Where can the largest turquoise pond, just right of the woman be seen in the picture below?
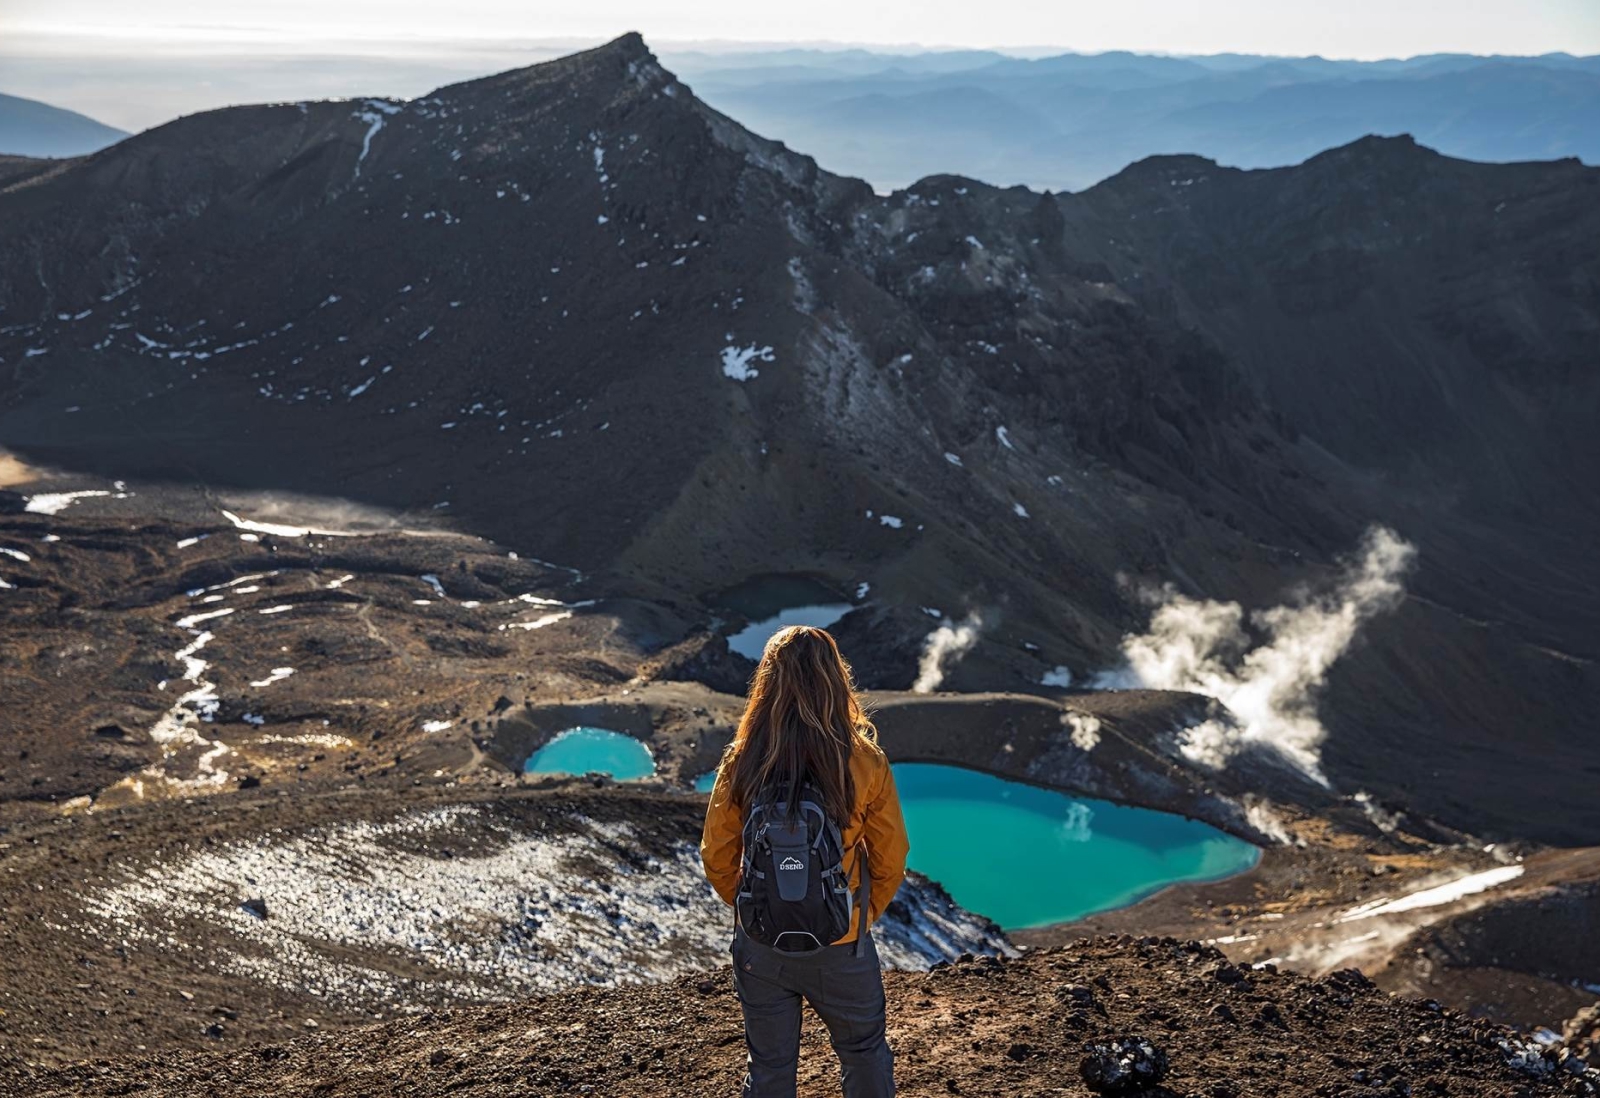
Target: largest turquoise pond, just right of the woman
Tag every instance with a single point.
(1031, 857)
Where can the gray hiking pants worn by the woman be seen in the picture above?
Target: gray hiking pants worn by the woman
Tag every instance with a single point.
(847, 995)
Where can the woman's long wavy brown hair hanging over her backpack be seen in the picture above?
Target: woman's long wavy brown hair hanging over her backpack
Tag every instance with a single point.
(802, 723)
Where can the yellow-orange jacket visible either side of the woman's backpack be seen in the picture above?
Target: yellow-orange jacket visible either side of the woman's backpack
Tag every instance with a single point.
(876, 822)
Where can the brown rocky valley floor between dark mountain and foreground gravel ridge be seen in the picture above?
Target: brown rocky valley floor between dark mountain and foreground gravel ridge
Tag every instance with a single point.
(319, 814)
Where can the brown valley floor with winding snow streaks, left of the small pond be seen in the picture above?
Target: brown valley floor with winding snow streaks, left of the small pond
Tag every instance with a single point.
(153, 646)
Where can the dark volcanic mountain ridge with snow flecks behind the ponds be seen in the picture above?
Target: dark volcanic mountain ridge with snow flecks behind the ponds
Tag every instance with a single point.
(575, 310)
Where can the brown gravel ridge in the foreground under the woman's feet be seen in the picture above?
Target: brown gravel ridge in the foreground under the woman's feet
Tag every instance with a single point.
(972, 1028)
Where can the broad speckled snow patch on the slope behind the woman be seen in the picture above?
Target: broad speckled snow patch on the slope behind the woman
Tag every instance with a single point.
(505, 918)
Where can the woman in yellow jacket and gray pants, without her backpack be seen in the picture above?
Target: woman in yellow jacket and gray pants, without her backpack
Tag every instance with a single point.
(804, 731)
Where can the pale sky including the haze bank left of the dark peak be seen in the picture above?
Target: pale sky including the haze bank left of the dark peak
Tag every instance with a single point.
(135, 63)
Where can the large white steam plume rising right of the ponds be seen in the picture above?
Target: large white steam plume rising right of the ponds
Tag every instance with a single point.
(1201, 646)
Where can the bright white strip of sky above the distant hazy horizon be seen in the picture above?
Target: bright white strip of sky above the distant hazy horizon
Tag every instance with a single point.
(1345, 30)
